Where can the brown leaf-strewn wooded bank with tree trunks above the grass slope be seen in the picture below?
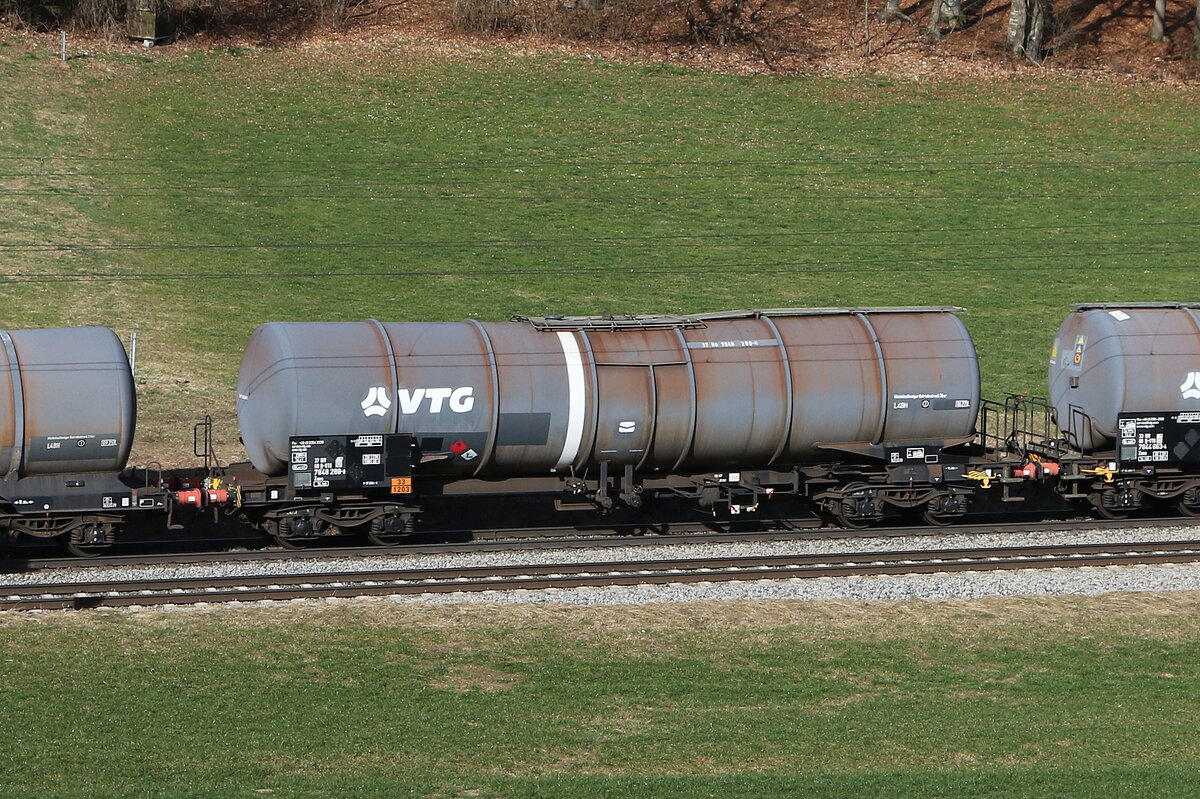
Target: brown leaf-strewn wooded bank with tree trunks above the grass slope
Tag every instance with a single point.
(959, 39)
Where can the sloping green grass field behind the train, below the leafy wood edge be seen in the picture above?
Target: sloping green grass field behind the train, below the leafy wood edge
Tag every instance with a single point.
(193, 196)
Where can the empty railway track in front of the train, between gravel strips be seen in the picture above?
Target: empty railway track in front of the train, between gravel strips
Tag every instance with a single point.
(590, 575)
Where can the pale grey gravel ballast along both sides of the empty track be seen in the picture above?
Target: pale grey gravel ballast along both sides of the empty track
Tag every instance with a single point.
(1073, 581)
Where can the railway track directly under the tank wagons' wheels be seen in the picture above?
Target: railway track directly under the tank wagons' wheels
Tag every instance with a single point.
(543, 539)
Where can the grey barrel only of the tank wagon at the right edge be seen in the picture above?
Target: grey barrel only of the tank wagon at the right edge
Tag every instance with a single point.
(1111, 359)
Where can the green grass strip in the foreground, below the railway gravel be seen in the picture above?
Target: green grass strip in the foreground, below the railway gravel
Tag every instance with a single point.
(1000, 699)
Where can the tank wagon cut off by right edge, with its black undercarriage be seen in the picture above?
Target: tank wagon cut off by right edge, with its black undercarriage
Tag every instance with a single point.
(1125, 392)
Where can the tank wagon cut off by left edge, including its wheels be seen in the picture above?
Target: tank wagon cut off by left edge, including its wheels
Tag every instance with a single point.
(68, 414)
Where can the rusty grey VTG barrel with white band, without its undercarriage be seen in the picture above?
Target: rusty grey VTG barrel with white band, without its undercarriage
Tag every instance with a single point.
(743, 389)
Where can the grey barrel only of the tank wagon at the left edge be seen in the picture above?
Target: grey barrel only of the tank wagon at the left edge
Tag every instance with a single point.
(68, 402)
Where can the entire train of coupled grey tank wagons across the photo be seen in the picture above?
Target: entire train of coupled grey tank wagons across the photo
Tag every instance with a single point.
(855, 414)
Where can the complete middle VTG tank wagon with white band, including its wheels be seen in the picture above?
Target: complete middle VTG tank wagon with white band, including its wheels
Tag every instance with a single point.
(727, 410)
